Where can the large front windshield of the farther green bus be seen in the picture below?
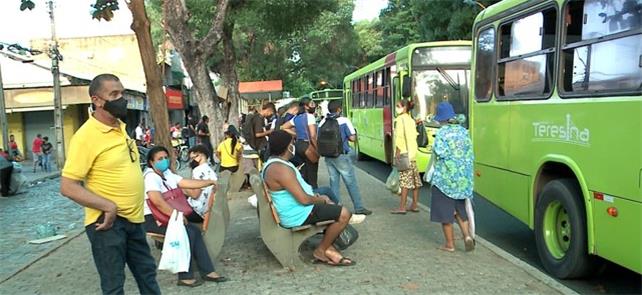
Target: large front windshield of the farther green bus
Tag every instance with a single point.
(436, 85)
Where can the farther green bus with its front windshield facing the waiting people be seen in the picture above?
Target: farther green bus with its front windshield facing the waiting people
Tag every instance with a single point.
(427, 73)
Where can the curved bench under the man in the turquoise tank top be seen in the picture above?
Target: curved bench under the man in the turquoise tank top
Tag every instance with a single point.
(284, 243)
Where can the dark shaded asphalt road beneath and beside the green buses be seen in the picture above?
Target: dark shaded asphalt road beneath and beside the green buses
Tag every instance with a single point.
(516, 238)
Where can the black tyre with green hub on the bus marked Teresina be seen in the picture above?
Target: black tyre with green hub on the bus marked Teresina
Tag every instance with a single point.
(560, 230)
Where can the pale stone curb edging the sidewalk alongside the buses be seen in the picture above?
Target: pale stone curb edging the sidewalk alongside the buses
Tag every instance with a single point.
(536, 273)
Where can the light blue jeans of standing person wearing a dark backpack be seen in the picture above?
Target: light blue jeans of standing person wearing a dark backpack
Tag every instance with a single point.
(342, 166)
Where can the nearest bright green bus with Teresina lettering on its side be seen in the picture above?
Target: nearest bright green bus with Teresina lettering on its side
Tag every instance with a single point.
(556, 123)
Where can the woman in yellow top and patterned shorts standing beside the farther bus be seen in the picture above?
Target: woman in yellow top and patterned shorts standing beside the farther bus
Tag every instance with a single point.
(405, 153)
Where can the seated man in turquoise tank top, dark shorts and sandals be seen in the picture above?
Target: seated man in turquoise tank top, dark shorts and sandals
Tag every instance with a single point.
(296, 204)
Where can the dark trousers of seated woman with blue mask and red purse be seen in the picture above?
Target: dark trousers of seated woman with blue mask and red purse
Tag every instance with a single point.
(196, 244)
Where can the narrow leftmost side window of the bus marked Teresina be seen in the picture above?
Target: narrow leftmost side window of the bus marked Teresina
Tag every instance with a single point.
(484, 62)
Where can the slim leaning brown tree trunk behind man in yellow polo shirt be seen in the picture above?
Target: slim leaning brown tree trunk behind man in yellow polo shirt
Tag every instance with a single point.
(155, 93)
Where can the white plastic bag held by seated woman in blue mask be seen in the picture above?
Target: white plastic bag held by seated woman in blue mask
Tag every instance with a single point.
(176, 254)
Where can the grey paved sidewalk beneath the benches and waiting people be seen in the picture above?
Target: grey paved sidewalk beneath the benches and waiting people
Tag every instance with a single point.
(395, 255)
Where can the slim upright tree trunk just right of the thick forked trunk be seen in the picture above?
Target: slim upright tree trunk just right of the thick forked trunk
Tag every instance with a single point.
(230, 76)
